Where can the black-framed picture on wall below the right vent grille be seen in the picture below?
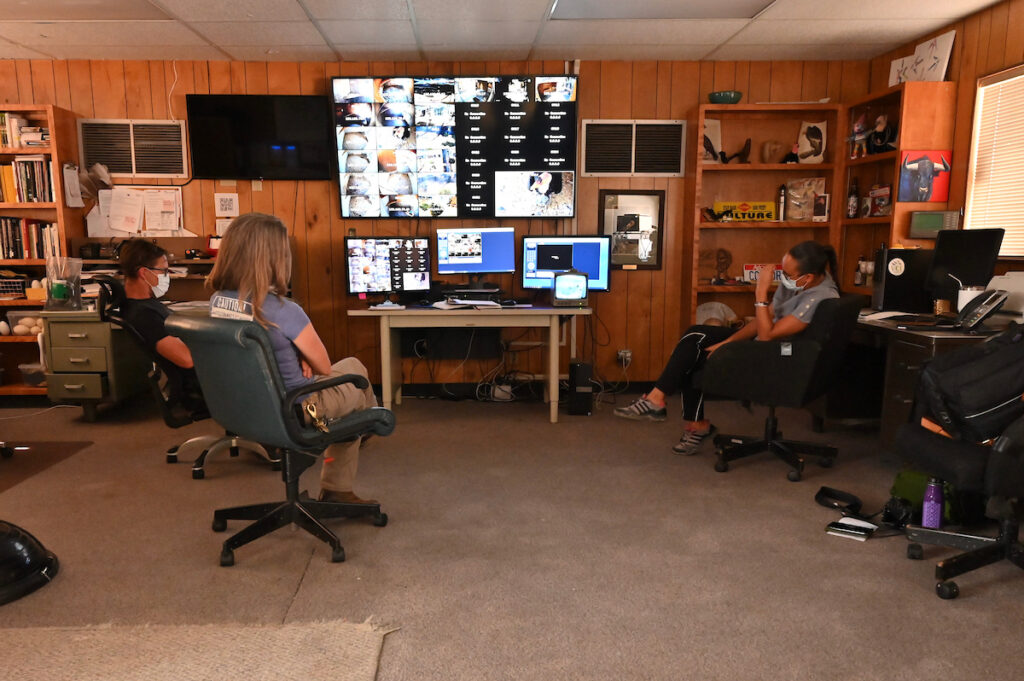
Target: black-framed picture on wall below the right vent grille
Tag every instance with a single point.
(635, 220)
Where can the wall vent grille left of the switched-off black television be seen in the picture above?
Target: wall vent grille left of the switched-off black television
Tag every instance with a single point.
(135, 149)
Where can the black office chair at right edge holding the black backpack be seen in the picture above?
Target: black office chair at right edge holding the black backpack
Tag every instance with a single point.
(997, 473)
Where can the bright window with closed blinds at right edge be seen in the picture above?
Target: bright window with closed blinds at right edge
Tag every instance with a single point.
(996, 177)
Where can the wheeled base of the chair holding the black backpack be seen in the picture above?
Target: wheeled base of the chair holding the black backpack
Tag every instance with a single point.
(980, 551)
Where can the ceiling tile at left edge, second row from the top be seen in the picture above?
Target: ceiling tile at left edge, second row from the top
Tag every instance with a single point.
(99, 33)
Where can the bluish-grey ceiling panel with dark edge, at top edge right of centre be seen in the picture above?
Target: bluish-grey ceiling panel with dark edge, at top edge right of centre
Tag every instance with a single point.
(659, 10)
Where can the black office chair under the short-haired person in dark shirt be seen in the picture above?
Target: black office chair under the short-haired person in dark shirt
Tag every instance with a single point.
(180, 404)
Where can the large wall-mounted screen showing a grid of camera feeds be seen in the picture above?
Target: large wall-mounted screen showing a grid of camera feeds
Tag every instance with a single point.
(489, 147)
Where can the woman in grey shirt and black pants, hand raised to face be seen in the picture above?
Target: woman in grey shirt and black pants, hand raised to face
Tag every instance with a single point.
(804, 284)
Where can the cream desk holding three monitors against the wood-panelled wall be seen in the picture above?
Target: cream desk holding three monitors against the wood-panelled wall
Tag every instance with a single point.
(428, 318)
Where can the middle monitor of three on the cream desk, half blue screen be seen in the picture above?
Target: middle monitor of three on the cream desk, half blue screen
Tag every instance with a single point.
(476, 251)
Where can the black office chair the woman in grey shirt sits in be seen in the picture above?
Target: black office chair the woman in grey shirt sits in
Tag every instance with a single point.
(791, 372)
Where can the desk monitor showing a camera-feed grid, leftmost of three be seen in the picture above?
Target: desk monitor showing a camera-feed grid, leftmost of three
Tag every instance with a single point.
(388, 265)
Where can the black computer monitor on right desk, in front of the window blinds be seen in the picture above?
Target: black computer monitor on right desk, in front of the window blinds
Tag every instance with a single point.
(968, 256)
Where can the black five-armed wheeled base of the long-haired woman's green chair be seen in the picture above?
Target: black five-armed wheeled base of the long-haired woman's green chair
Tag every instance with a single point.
(296, 509)
